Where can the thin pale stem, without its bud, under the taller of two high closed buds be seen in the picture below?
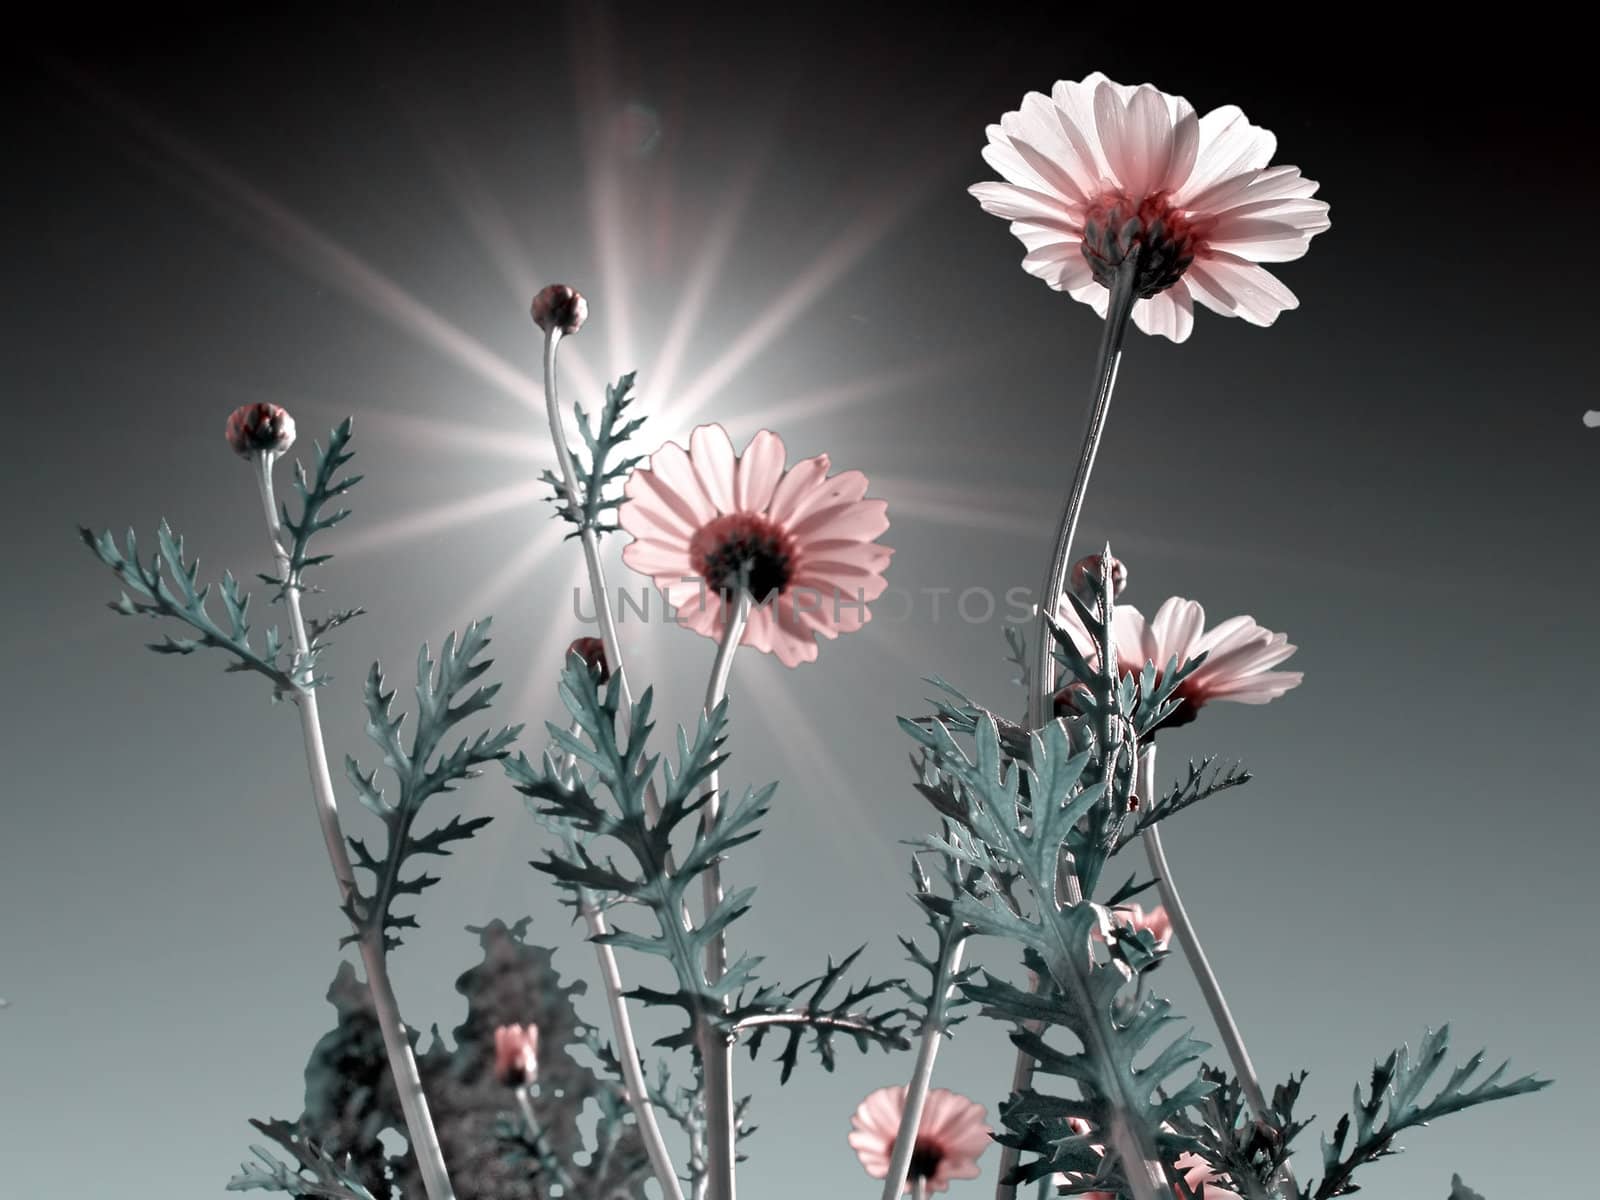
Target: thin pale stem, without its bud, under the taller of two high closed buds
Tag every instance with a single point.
(628, 1049)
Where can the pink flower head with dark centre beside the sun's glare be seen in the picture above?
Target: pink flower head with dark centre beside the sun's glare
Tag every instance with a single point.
(801, 543)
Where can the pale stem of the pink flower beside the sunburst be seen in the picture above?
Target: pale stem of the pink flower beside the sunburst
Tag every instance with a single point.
(716, 1046)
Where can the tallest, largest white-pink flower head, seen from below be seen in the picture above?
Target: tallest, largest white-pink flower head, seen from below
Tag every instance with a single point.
(1098, 172)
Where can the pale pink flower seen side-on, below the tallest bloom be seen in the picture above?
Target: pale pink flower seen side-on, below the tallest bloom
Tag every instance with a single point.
(1239, 654)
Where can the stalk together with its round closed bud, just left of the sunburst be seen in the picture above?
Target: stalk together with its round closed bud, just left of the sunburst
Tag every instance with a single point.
(561, 311)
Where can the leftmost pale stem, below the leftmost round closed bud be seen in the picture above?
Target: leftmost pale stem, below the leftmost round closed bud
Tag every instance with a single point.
(398, 1044)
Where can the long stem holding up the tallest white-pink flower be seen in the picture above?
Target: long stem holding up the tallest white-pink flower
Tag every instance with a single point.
(1042, 678)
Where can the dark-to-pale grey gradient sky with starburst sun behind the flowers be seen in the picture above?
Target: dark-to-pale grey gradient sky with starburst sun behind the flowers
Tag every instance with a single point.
(770, 222)
